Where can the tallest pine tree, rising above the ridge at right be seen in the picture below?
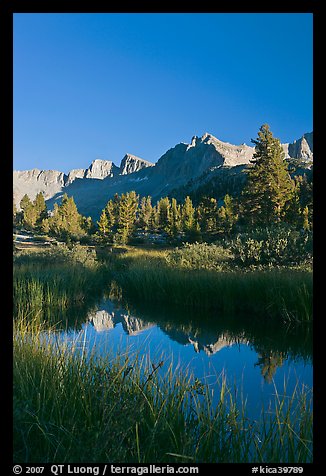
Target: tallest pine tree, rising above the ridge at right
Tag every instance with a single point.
(269, 186)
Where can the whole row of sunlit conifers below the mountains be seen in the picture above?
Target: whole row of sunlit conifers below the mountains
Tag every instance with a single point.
(270, 197)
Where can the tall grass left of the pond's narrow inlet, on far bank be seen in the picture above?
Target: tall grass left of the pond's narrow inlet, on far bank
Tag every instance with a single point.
(58, 284)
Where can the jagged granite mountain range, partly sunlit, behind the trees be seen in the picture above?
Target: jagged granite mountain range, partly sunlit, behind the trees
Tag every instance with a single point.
(94, 186)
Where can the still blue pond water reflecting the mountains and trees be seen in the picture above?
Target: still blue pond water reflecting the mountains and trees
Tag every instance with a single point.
(257, 358)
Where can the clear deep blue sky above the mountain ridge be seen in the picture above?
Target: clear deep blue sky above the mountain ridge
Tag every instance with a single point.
(90, 86)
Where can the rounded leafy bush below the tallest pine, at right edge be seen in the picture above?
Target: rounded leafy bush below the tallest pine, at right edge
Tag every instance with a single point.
(272, 246)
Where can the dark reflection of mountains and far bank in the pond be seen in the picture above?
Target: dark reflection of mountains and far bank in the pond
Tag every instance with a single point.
(207, 332)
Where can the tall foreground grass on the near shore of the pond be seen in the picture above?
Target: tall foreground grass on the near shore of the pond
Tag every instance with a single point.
(67, 409)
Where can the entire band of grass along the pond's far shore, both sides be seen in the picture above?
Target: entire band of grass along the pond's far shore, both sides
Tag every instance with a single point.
(67, 282)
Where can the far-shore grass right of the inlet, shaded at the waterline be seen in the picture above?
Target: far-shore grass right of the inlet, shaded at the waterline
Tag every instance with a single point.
(277, 293)
